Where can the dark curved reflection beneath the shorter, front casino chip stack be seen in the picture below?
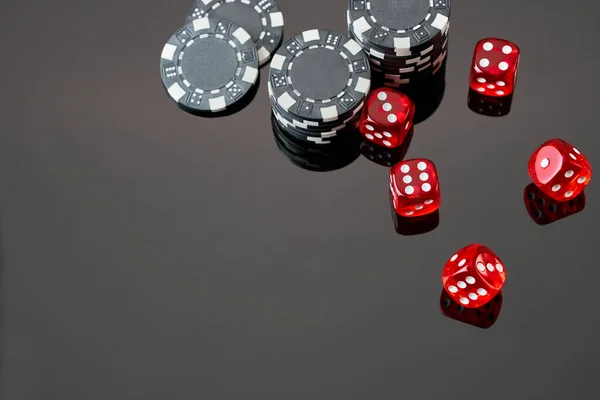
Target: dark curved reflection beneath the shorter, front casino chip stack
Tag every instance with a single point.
(316, 157)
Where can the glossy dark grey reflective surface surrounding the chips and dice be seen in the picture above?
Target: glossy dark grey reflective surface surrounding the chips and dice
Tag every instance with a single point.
(150, 254)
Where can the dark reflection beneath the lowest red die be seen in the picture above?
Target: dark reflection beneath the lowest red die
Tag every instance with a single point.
(482, 317)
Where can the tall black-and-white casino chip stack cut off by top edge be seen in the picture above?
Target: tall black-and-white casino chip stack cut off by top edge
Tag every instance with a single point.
(405, 40)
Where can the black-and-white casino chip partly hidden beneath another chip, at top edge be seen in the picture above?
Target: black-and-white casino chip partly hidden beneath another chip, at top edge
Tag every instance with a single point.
(260, 18)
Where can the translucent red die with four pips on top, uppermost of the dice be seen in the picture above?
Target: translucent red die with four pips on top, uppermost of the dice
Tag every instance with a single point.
(494, 67)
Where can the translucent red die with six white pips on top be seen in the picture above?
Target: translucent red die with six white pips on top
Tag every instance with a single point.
(414, 187)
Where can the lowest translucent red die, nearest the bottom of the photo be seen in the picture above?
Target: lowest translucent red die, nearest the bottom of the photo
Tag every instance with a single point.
(473, 276)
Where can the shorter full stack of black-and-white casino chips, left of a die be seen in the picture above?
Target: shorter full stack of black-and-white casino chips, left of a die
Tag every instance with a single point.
(318, 84)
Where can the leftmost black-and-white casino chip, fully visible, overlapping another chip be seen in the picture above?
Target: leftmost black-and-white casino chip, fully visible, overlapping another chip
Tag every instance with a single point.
(209, 65)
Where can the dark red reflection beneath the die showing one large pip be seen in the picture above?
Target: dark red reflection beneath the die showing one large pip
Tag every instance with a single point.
(544, 210)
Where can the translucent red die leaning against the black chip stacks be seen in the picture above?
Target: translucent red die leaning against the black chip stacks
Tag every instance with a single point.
(387, 118)
